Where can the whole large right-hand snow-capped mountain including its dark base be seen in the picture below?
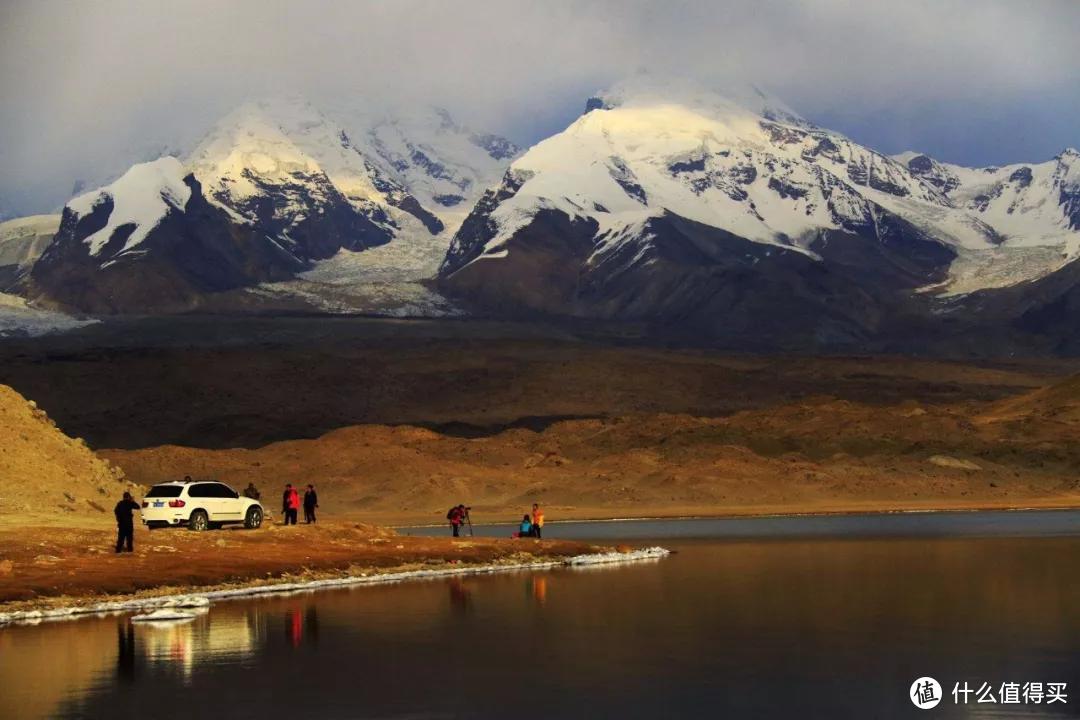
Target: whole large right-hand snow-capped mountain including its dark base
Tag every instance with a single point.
(670, 203)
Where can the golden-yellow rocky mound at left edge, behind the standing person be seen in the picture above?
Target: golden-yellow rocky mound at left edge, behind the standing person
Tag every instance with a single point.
(46, 473)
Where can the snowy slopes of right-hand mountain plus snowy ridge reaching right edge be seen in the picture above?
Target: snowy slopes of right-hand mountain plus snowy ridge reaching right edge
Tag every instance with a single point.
(746, 164)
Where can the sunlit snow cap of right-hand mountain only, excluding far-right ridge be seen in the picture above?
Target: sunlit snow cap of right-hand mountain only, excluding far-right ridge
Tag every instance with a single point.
(653, 148)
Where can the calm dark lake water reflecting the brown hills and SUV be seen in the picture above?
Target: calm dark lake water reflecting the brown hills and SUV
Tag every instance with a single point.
(801, 626)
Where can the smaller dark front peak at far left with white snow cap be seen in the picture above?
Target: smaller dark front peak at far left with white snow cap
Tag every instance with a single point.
(152, 241)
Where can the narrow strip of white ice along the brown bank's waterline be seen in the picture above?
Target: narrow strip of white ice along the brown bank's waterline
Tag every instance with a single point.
(207, 599)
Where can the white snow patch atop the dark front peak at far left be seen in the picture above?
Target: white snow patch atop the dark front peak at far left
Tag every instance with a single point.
(142, 197)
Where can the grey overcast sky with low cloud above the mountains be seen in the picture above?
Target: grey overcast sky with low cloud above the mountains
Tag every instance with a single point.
(91, 87)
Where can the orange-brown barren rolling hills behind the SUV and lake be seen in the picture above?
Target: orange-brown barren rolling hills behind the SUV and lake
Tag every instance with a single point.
(823, 455)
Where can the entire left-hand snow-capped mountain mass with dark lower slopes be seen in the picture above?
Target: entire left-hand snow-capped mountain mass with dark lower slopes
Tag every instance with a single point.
(275, 189)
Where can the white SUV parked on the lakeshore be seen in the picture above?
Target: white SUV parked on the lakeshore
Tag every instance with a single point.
(199, 505)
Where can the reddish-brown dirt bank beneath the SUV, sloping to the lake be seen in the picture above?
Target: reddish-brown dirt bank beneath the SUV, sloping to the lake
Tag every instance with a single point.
(50, 566)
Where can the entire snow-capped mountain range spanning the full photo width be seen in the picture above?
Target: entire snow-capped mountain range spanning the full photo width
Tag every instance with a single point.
(725, 216)
